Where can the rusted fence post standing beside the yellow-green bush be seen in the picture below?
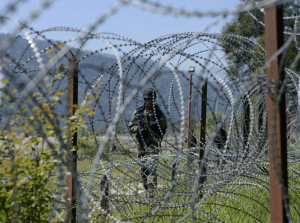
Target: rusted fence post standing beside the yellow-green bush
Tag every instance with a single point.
(72, 156)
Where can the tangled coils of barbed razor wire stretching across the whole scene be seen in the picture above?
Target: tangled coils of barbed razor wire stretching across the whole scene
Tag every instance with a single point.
(237, 178)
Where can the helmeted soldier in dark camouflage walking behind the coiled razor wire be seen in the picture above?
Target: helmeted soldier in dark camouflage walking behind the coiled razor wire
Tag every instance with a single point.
(149, 124)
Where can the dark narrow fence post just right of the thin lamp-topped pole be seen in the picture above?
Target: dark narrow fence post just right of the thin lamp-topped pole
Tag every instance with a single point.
(202, 178)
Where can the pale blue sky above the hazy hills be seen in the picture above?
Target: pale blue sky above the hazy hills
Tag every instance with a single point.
(129, 21)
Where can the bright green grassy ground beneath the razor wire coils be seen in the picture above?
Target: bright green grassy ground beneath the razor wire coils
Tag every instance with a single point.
(232, 202)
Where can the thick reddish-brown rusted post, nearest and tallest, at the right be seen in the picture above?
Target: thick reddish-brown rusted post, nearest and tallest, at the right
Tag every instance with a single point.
(276, 116)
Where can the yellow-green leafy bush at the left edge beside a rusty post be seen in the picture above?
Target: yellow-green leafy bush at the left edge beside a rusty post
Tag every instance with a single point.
(31, 146)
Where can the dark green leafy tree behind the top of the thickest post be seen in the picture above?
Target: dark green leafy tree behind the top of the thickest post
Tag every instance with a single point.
(250, 25)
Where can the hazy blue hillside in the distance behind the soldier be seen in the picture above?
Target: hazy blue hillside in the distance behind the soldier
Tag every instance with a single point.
(89, 69)
